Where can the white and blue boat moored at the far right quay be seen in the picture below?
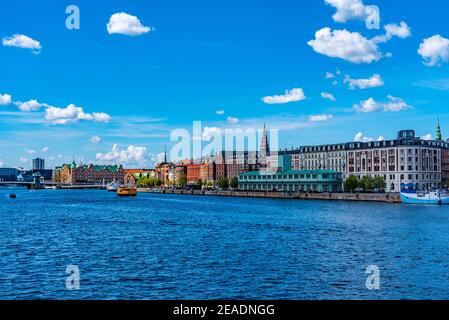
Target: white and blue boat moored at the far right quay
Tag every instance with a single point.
(410, 195)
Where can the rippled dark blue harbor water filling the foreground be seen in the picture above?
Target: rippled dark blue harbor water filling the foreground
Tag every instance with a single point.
(158, 246)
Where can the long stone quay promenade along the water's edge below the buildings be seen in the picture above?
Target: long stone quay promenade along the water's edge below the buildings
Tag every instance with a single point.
(367, 197)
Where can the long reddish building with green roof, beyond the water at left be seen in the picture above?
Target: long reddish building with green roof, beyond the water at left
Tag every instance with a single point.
(94, 174)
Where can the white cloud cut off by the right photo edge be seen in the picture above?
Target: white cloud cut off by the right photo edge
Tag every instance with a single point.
(434, 50)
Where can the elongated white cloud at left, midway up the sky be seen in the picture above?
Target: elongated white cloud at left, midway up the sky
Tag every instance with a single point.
(73, 113)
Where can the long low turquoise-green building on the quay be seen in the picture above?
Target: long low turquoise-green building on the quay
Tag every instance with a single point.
(292, 181)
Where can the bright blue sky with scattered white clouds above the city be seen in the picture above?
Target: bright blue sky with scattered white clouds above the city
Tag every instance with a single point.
(191, 59)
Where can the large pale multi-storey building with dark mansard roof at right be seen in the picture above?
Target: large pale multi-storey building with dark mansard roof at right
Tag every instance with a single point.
(406, 159)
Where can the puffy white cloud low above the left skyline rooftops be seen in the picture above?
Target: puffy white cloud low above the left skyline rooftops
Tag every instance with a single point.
(132, 154)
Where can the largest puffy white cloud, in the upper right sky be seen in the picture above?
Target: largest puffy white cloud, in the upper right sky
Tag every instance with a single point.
(349, 46)
